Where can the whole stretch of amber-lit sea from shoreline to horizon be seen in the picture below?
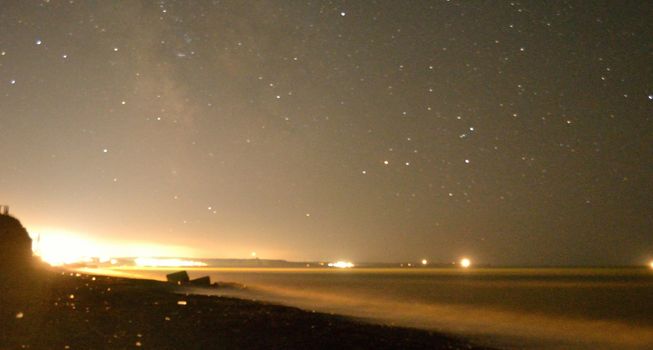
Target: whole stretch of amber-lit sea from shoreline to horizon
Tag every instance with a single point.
(513, 308)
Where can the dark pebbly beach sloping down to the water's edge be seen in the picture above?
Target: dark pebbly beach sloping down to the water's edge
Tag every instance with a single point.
(62, 311)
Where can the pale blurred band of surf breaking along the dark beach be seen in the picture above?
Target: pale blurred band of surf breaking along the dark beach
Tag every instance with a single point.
(487, 325)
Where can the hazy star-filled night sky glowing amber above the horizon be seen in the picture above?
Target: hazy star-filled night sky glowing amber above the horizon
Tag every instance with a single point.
(514, 133)
